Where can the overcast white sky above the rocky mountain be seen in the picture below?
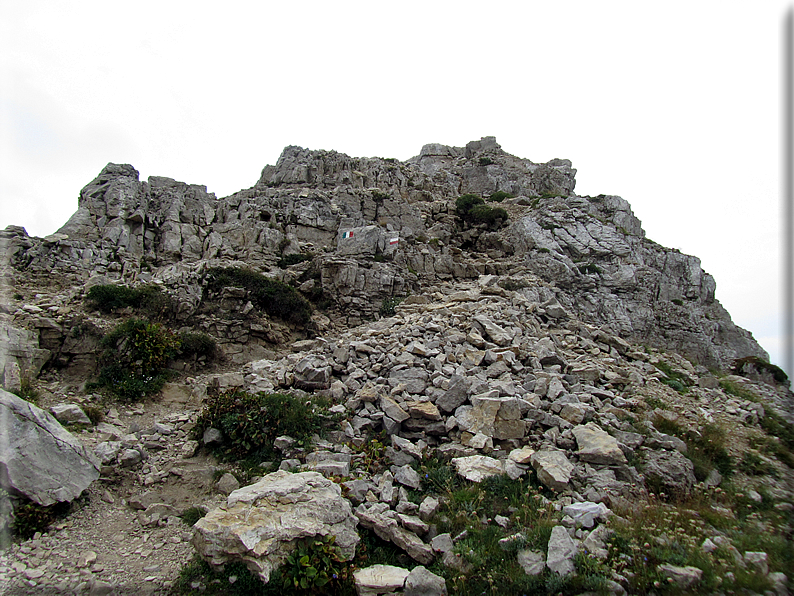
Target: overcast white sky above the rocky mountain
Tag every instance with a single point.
(674, 106)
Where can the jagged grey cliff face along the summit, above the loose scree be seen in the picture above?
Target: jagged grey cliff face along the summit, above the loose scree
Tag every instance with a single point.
(378, 228)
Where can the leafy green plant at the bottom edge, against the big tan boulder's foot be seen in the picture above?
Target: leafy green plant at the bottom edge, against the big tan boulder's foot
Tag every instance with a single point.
(315, 566)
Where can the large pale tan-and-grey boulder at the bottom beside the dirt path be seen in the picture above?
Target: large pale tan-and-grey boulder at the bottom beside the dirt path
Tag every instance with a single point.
(261, 523)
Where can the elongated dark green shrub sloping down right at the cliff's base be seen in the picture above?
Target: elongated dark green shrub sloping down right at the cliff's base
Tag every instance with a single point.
(274, 297)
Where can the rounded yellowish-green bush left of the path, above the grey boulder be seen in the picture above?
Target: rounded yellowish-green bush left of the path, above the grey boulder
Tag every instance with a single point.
(133, 363)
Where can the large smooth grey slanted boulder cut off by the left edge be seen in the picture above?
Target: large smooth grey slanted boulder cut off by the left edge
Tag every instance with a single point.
(38, 457)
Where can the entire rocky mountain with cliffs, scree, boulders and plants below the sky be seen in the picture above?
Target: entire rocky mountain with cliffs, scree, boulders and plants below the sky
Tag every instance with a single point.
(459, 352)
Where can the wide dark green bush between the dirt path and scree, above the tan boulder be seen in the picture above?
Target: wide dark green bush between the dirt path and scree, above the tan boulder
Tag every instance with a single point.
(251, 422)
